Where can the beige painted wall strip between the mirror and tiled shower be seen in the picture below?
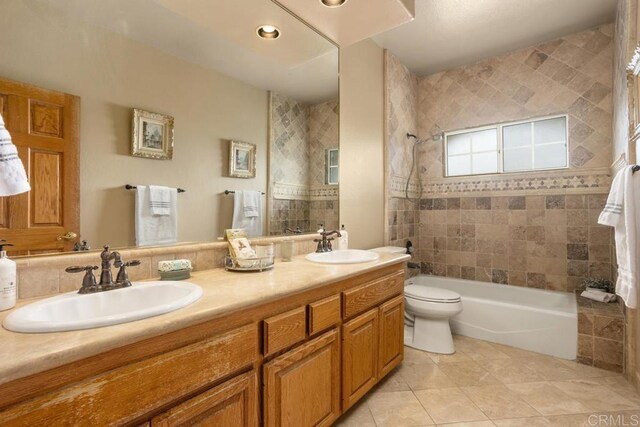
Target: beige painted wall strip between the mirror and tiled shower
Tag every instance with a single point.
(362, 144)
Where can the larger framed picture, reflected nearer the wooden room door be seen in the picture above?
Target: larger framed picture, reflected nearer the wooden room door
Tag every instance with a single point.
(152, 135)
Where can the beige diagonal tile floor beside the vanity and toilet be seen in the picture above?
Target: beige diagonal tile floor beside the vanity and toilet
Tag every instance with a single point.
(485, 384)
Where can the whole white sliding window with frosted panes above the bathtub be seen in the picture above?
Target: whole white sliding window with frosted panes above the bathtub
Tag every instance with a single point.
(509, 147)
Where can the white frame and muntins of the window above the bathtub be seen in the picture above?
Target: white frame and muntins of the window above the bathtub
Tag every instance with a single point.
(500, 144)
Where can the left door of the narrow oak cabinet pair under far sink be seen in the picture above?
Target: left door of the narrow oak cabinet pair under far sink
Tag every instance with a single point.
(359, 357)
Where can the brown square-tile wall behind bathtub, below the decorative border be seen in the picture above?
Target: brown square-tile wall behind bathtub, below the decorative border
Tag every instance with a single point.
(548, 242)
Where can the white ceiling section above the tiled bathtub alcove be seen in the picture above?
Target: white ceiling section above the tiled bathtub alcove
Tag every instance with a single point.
(449, 33)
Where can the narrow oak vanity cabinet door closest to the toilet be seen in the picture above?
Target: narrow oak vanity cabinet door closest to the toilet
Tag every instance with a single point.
(391, 335)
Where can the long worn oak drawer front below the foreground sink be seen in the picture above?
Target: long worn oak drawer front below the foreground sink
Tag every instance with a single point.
(126, 394)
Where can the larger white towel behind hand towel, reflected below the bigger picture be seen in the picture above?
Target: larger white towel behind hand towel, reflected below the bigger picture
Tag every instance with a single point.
(155, 229)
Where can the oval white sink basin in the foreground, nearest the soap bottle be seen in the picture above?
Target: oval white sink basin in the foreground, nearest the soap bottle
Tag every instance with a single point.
(72, 311)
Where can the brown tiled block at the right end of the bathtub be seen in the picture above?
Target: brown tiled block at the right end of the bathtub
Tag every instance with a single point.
(601, 330)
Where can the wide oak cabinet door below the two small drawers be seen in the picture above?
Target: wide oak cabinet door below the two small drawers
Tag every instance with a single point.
(302, 387)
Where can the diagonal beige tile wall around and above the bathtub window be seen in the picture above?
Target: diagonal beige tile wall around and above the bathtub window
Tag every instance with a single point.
(573, 75)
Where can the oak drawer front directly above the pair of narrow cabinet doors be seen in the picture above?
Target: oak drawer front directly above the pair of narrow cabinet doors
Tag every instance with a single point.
(361, 298)
